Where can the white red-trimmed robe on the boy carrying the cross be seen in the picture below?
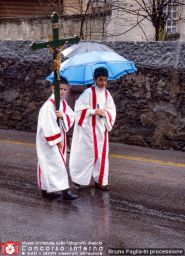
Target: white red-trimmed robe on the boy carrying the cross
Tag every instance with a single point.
(51, 172)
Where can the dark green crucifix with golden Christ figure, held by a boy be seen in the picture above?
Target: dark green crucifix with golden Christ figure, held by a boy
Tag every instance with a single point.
(55, 45)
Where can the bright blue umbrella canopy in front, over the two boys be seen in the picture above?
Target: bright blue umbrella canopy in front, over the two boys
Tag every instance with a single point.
(79, 69)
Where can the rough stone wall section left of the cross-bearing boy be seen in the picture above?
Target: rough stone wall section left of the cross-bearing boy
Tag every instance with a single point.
(22, 85)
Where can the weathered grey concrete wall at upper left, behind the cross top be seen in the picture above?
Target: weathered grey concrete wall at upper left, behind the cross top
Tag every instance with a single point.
(36, 29)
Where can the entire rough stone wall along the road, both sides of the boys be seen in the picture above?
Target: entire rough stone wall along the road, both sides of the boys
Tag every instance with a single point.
(150, 104)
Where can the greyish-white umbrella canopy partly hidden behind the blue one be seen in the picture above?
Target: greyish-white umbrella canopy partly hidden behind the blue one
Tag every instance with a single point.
(84, 47)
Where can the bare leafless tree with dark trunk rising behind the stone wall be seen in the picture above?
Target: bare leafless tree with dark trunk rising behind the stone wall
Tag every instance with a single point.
(158, 12)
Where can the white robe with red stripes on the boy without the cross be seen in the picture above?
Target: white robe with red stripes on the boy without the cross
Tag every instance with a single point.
(90, 143)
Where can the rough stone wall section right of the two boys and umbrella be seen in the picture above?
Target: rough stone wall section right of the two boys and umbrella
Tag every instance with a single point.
(151, 103)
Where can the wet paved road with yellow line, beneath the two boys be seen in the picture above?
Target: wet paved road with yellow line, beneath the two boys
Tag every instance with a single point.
(144, 209)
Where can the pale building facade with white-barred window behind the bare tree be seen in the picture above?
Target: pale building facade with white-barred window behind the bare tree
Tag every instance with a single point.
(127, 22)
